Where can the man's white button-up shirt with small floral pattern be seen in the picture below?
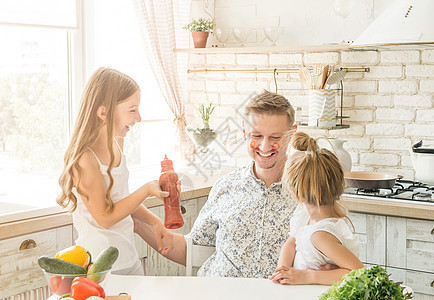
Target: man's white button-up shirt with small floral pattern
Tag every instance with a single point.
(246, 222)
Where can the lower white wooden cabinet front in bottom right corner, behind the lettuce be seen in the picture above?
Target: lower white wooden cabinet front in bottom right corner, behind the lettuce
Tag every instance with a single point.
(422, 283)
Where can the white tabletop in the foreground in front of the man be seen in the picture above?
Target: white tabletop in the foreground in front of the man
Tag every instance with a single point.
(192, 288)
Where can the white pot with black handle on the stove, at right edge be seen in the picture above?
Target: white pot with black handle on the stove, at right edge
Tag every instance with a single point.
(423, 163)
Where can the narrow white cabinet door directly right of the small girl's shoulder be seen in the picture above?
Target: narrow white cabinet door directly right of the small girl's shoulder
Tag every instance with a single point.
(371, 233)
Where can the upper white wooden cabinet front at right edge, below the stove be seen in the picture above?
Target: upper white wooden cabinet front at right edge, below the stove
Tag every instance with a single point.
(410, 244)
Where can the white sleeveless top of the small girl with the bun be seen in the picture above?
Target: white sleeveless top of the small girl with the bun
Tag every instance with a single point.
(307, 256)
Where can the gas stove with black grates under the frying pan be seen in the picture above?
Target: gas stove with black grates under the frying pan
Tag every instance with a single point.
(403, 190)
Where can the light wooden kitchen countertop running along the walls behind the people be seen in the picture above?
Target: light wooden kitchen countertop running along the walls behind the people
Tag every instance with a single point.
(202, 186)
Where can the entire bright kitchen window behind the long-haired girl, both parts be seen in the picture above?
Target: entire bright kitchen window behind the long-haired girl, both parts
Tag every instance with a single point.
(47, 54)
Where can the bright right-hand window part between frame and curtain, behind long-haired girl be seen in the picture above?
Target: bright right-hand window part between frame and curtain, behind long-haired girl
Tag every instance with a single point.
(114, 40)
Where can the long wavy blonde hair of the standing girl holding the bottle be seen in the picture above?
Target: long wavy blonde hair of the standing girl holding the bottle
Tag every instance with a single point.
(106, 87)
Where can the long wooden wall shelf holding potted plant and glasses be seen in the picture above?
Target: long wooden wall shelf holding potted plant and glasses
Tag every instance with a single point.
(264, 50)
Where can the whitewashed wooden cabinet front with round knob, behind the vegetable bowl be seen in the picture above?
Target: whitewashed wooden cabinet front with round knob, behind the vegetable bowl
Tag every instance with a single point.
(19, 269)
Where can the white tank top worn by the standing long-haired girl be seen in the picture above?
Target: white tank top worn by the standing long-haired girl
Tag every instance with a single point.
(94, 237)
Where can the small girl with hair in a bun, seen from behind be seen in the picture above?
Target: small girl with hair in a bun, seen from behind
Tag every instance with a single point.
(321, 233)
